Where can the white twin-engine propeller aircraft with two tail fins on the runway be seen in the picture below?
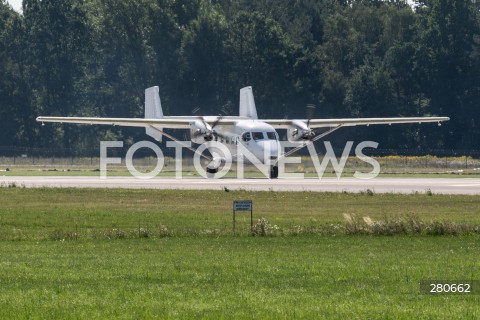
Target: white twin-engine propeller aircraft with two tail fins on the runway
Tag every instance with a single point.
(245, 132)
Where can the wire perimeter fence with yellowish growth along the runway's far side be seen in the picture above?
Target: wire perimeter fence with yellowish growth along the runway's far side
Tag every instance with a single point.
(390, 160)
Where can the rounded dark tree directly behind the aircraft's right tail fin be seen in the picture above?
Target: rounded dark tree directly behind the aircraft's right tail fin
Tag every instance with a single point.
(261, 55)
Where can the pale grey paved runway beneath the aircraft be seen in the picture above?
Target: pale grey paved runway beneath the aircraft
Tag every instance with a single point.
(469, 186)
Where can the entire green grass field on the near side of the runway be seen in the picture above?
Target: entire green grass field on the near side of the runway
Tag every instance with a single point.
(78, 253)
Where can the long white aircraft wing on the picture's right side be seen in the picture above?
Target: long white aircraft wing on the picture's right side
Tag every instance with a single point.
(350, 122)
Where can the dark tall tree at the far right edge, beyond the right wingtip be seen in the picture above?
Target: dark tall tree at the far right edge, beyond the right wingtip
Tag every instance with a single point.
(448, 68)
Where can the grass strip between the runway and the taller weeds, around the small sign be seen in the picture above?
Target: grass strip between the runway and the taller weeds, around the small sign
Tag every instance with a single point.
(34, 213)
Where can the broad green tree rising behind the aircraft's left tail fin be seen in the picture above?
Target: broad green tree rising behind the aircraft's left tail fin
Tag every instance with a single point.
(134, 47)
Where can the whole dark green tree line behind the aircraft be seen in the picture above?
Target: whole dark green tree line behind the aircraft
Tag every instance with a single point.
(351, 58)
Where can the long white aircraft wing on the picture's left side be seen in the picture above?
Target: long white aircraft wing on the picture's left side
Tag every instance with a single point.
(165, 122)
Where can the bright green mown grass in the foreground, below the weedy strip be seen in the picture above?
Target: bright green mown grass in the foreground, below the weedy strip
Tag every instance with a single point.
(235, 277)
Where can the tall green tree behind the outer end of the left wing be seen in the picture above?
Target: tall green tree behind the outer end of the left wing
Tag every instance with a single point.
(56, 42)
